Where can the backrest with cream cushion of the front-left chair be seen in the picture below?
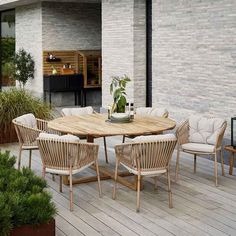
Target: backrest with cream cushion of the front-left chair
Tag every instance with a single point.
(61, 153)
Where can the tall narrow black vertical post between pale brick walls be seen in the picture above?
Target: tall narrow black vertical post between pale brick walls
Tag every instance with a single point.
(148, 53)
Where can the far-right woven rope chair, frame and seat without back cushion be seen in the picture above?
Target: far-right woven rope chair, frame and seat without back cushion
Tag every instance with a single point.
(182, 134)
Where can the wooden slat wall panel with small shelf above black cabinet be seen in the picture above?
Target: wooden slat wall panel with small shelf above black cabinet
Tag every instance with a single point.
(65, 56)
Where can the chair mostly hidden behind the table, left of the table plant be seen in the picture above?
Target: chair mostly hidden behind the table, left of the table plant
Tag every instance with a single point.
(83, 111)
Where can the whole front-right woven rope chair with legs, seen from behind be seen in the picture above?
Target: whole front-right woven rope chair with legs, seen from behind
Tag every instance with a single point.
(145, 159)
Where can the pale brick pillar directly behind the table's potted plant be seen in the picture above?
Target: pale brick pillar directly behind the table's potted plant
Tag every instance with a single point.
(123, 47)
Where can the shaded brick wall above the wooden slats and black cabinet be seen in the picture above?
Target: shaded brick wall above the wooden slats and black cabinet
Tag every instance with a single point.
(71, 26)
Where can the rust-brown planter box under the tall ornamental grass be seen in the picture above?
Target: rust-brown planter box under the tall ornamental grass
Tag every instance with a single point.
(7, 133)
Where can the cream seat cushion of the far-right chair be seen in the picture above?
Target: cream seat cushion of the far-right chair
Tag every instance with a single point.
(198, 147)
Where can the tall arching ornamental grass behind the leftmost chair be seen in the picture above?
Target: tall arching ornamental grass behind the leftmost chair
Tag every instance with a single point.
(16, 102)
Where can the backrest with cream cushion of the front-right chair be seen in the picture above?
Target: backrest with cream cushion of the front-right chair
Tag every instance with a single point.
(147, 153)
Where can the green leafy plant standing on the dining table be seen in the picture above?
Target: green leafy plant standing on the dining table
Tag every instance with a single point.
(117, 89)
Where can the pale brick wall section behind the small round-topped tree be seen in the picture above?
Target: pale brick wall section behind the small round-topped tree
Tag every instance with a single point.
(29, 37)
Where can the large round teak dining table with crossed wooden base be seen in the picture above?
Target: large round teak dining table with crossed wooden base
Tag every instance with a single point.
(96, 125)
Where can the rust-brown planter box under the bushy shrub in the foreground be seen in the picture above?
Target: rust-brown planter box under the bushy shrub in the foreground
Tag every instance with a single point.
(38, 230)
